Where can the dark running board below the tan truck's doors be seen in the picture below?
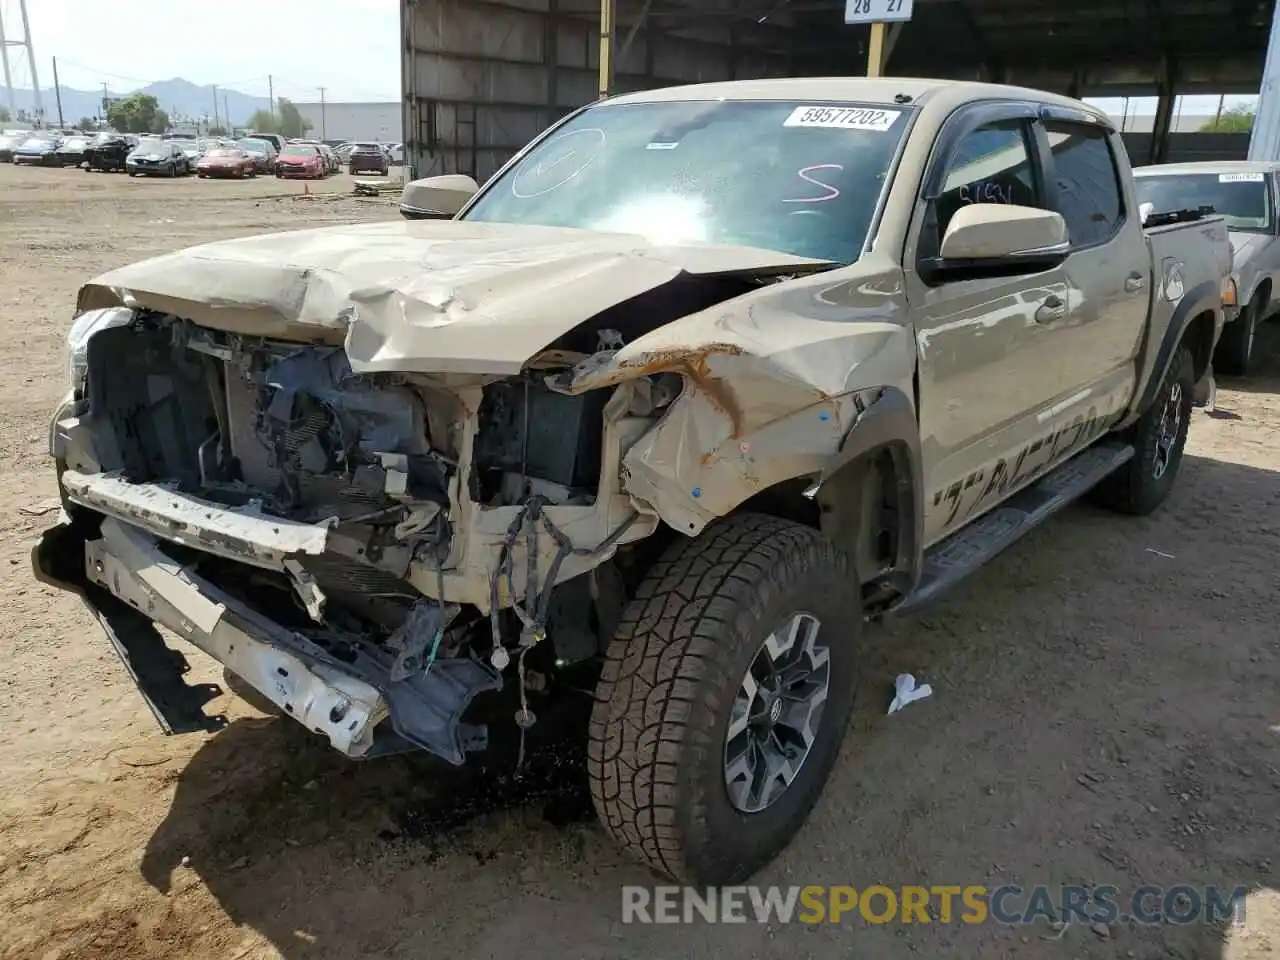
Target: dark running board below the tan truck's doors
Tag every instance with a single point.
(972, 547)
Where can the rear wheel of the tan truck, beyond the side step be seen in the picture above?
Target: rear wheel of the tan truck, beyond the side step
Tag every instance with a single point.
(1158, 438)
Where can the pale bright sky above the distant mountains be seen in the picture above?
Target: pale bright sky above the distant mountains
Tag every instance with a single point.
(349, 47)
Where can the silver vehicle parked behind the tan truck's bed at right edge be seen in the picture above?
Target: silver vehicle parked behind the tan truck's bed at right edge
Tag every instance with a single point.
(1244, 193)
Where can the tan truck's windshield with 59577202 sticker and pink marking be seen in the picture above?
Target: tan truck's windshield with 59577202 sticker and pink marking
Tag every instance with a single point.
(798, 179)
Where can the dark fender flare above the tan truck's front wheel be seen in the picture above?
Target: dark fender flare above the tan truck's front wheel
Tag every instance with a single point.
(890, 426)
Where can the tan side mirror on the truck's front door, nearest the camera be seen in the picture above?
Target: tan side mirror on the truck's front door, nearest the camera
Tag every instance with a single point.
(1002, 240)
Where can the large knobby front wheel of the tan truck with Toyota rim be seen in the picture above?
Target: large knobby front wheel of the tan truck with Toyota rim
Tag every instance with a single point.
(691, 684)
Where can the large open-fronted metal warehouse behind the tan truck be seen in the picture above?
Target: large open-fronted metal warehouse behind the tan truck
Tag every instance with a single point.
(483, 77)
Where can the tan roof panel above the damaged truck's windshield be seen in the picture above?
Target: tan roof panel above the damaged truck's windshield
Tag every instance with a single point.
(881, 90)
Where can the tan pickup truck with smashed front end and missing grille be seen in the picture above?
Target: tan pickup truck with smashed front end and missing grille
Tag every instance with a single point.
(701, 382)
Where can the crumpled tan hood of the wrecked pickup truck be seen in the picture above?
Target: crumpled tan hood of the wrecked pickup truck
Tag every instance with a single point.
(424, 296)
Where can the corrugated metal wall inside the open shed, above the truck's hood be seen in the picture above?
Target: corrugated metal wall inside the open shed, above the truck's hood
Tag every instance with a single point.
(484, 77)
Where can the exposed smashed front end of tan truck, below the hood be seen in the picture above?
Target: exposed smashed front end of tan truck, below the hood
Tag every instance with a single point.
(413, 533)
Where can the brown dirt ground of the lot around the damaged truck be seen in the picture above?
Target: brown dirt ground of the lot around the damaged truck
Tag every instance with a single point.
(1105, 711)
